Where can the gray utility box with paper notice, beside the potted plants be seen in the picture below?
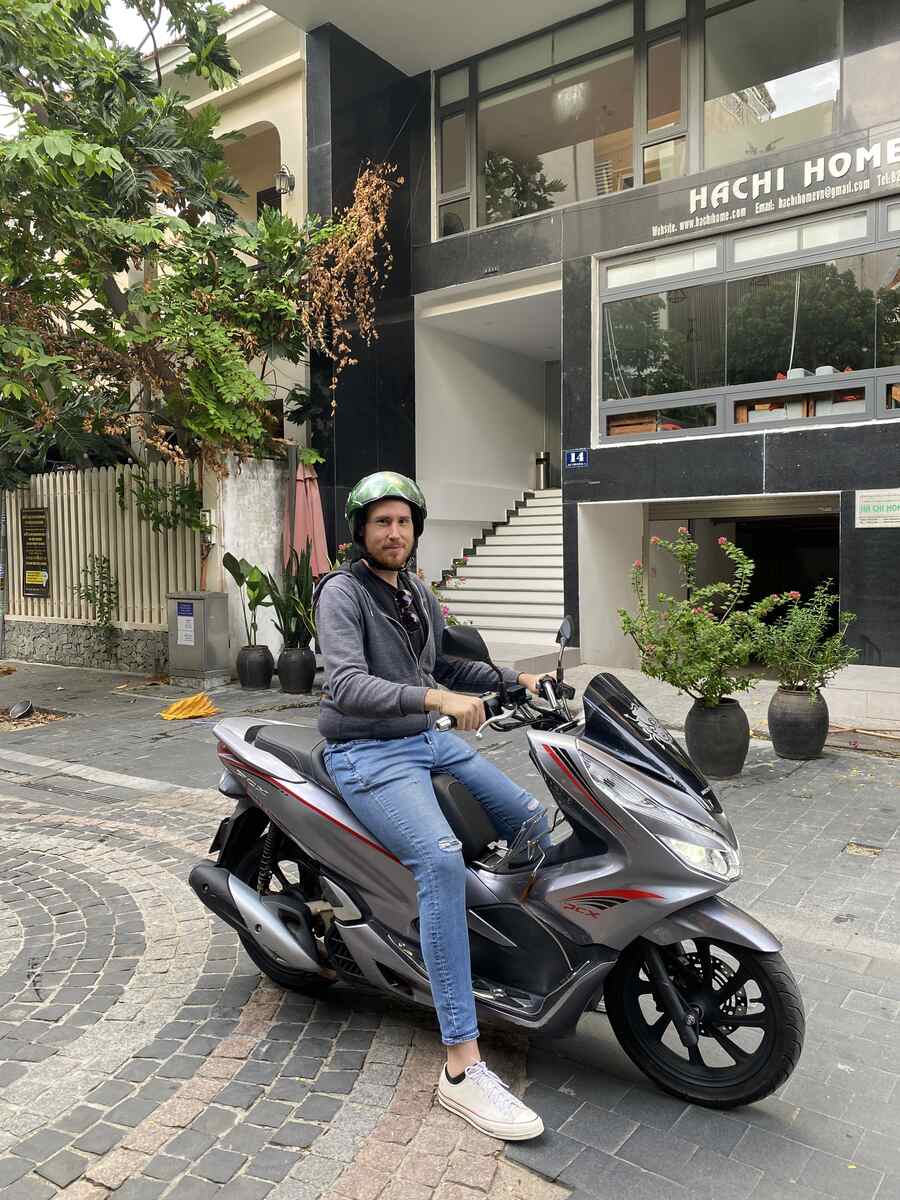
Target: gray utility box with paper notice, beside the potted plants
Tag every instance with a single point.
(199, 638)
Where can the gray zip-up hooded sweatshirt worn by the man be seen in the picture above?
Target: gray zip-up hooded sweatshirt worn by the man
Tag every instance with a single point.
(375, 685)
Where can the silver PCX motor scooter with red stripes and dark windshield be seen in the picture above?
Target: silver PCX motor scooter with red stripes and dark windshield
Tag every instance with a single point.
(621, 913)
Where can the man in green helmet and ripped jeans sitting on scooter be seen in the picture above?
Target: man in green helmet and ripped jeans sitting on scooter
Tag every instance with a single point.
(387, 683)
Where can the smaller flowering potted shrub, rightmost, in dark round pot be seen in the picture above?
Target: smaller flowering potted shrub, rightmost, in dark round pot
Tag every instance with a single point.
(799, 650)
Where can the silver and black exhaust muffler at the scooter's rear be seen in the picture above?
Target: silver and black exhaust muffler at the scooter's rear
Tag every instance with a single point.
(262, 919)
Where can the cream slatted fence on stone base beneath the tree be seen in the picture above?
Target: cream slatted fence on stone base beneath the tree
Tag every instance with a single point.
(86, 519)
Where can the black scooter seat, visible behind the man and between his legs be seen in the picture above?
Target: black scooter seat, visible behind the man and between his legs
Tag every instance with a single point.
(304, 751)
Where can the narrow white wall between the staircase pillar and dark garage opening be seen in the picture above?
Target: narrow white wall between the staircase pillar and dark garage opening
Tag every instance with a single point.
(610, 539)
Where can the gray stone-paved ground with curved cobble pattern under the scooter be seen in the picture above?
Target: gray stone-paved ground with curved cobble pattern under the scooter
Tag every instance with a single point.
(142, 1055)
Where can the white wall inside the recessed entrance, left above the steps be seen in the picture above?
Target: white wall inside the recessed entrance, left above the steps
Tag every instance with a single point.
(479, 423)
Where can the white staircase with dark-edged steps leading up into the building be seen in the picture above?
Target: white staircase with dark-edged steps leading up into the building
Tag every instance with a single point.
(511, 585)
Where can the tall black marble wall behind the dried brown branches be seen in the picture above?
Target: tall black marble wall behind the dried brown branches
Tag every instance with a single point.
(361, 109)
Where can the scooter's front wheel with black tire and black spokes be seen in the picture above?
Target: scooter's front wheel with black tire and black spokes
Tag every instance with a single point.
(757, 994)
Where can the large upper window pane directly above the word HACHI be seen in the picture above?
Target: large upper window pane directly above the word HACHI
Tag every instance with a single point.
(772, 77)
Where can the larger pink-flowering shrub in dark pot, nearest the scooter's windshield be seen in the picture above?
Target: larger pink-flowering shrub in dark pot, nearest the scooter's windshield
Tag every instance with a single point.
(700, 644)
